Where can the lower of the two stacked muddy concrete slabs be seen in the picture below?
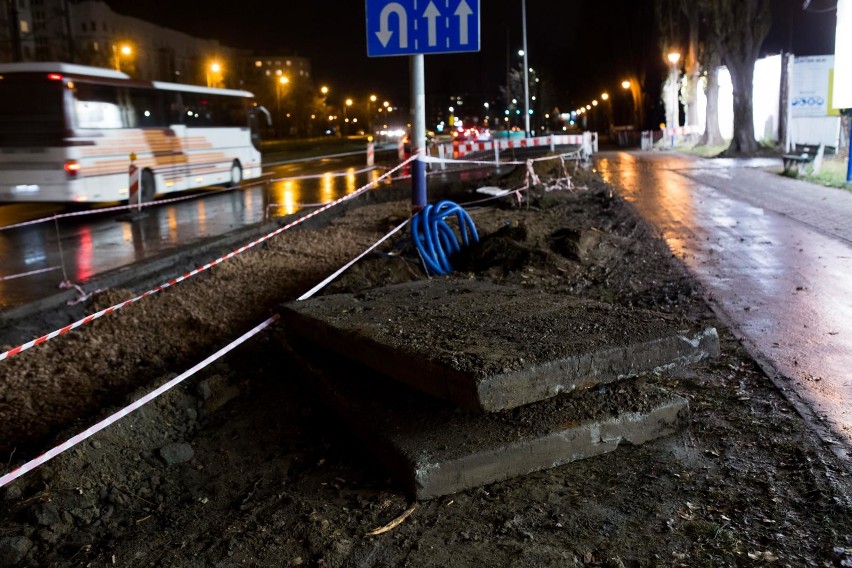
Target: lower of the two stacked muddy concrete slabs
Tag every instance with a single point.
(432, 449)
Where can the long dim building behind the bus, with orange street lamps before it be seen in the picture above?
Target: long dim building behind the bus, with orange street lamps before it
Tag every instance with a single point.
(91, 33)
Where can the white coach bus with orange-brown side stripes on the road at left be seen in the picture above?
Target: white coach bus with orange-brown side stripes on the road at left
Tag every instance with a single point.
(67, 133)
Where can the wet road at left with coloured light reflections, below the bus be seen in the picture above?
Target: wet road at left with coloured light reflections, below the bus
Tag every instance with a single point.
(35, 259)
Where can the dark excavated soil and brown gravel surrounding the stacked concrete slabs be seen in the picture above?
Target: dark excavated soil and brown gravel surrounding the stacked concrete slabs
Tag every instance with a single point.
(240, 465)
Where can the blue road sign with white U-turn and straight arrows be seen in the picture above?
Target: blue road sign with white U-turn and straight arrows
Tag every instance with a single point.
(406, 27)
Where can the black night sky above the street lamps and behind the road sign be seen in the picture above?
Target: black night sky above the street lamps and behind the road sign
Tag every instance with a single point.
(583, 48)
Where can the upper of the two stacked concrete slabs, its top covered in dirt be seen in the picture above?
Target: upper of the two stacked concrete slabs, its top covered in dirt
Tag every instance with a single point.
(487, 347)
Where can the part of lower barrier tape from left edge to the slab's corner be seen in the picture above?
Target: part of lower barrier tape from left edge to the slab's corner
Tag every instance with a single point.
(71, 442)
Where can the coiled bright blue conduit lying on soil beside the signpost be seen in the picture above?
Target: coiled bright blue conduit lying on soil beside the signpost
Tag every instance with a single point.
(435, 240)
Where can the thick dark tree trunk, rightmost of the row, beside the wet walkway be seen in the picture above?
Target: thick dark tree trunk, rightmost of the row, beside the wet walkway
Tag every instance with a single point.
(742, 25)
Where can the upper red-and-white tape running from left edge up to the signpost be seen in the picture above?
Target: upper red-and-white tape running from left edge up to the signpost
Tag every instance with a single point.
(90, 318)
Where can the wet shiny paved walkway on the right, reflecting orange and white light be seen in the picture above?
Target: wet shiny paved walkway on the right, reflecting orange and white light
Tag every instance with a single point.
(775, 257)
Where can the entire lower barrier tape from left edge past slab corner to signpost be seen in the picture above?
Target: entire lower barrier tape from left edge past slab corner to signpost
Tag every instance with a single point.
(89, 432)
